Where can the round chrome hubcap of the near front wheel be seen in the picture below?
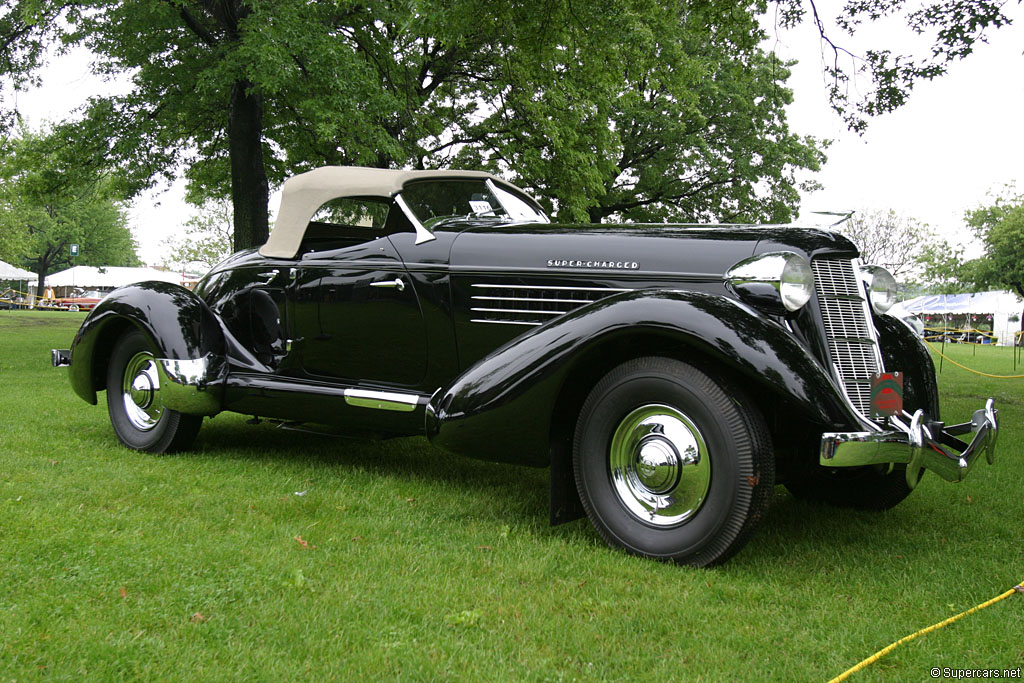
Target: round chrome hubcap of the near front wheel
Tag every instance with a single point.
(660, 466)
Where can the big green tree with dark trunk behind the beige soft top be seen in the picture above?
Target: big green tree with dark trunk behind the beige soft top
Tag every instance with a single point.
(242, 92)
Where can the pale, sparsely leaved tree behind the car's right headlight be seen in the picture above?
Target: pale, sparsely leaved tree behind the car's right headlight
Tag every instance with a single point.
(888, 240)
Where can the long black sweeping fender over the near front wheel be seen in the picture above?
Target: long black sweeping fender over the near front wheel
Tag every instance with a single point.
(501, 409)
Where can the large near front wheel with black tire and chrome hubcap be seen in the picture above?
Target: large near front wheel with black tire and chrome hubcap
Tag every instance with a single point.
(671, 463)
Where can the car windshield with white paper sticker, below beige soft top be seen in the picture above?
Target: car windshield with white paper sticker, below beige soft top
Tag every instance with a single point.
(434, 202)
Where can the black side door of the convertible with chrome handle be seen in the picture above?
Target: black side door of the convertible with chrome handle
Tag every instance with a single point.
(369, 327)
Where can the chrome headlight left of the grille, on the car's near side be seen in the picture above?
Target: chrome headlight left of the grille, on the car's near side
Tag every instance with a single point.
(778, 282)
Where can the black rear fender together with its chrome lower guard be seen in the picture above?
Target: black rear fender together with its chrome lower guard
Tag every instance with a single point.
(182, 327)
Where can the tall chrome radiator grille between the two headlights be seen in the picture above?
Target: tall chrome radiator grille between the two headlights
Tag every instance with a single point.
(851, 338)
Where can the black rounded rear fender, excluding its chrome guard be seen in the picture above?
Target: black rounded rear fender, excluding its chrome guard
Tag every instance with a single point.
(179, 323)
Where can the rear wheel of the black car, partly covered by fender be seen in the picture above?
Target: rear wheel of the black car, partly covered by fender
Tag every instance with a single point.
(138, 414)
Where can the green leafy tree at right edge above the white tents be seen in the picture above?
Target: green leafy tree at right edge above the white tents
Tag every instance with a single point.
(1001, 228)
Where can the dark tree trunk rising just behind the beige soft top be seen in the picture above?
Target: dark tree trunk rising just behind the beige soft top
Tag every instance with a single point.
(250, 191)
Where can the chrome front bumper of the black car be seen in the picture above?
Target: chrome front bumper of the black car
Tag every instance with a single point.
(921, 445)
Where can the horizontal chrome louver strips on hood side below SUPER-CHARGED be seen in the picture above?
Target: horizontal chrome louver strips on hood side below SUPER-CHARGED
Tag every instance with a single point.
(530, 305)
